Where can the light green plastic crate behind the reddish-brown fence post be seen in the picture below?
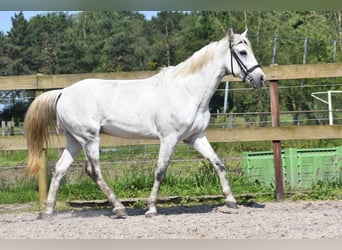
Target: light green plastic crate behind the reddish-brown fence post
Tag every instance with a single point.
(302, 168)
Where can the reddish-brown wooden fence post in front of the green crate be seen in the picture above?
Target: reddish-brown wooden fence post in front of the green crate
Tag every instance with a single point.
(278, 169)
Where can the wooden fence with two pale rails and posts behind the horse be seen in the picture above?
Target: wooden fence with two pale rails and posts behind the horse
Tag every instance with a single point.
(275, 133)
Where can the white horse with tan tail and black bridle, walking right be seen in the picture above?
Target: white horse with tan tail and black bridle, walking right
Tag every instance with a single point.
(171, 106)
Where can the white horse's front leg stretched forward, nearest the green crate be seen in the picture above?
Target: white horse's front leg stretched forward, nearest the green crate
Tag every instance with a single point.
(201, 144)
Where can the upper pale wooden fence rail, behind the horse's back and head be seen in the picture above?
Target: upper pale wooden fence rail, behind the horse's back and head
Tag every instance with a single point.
(283, 72)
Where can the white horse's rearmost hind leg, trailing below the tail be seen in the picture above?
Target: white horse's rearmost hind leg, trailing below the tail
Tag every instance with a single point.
(67, 157)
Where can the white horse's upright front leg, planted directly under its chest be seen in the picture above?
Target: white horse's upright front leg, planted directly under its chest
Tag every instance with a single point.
(167, 146)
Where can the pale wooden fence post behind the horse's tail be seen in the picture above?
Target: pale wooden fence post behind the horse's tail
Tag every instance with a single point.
(42, 174)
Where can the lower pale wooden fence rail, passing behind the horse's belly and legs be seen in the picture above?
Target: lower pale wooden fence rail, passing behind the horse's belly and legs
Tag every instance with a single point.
(312, 132)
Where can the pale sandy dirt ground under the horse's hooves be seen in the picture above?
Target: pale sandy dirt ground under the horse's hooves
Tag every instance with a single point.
(284, 220)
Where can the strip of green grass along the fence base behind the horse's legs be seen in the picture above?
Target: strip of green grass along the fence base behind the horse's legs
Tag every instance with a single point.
(136, 181)
